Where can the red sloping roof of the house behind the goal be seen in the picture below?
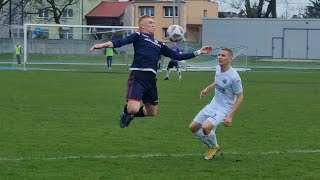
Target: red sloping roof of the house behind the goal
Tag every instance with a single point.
(108, 9)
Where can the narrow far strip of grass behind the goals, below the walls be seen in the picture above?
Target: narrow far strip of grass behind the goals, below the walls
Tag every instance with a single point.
(206, 60)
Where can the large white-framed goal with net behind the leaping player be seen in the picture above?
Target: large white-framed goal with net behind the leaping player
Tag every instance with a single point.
(67, 46)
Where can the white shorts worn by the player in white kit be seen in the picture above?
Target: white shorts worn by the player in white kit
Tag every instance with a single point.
(211, 114)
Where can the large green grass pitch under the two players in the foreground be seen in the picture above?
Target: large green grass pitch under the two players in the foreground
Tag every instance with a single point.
(64, 125)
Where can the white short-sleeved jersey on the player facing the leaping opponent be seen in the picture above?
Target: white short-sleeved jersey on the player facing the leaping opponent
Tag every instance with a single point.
(228, 84)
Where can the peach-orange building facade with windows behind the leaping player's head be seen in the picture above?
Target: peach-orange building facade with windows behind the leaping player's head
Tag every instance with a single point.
(191, 13)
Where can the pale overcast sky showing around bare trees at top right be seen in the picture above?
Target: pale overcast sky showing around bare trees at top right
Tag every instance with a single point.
(284, 7)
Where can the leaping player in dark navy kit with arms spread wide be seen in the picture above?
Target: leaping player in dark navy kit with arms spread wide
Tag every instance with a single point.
(142, 82)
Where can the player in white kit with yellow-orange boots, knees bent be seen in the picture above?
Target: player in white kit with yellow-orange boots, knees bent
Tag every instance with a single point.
(228, 96)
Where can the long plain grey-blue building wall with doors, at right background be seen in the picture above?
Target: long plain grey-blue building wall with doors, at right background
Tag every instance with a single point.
(277, 38)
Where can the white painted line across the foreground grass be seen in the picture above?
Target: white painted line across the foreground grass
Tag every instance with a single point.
(297, 151)
